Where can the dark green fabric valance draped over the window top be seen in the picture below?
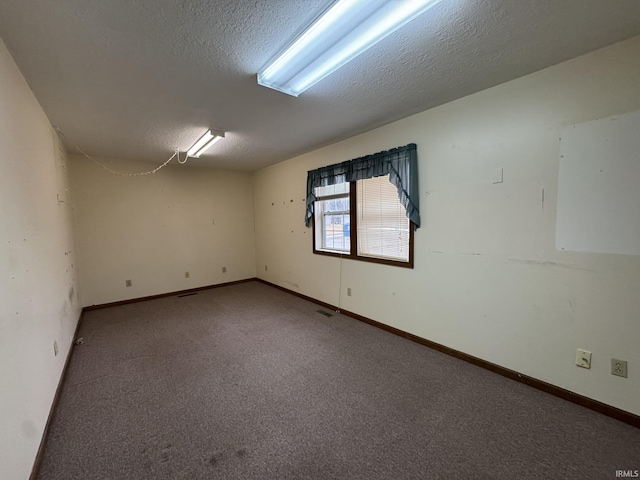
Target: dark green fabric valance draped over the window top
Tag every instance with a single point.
(401, 164)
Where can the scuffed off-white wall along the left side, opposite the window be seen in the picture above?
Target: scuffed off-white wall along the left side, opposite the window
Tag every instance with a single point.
(38, 301)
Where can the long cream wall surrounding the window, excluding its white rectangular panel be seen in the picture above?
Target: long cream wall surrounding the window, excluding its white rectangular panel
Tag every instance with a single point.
(488, 280)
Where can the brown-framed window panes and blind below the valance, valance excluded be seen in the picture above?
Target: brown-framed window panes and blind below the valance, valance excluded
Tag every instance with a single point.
(363, 220)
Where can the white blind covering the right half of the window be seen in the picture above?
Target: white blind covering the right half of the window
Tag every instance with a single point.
(383, 226)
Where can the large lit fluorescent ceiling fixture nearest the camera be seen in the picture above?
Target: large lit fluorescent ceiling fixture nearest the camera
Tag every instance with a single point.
(341, 33)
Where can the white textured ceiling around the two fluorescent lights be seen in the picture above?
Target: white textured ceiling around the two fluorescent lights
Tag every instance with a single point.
(134, 79)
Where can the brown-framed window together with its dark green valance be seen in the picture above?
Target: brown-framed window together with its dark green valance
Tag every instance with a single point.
(366, 208)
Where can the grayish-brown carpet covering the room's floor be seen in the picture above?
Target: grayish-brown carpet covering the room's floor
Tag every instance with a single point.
(249, 382)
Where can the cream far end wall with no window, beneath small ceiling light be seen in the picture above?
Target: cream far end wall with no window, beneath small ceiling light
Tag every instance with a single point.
(152, 229)
